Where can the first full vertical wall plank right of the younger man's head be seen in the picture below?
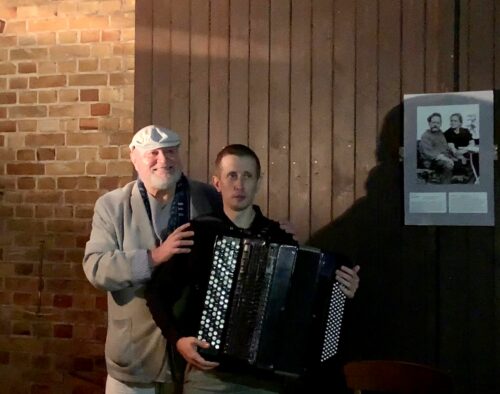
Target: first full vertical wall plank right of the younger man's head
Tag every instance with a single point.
(279, 110)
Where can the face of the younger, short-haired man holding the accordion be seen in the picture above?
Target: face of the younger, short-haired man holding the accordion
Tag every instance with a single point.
(237, 181)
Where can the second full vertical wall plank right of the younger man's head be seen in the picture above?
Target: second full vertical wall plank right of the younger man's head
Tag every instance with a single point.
(300, 116)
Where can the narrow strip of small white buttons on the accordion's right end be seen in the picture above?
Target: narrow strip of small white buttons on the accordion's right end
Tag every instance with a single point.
(334, 323)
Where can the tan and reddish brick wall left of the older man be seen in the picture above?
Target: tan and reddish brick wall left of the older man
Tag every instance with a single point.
(66, 115)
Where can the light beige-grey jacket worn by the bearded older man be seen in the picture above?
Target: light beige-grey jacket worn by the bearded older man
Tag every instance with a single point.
(121, 234)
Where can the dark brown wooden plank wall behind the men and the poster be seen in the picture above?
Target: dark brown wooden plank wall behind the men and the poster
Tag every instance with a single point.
(315, 88)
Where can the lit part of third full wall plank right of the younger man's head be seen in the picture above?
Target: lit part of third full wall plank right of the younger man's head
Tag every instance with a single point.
(321, 113)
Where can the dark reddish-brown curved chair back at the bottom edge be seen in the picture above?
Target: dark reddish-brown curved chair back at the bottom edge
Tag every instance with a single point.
(388, 376)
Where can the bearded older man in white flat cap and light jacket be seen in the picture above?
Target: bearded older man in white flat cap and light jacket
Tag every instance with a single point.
(135, 229)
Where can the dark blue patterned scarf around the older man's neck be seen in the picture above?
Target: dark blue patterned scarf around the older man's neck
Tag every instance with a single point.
(179, 210)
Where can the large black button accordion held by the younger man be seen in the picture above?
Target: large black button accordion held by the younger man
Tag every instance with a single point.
(273, 307)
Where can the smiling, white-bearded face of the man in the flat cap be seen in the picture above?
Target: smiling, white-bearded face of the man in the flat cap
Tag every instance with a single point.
(159, 169)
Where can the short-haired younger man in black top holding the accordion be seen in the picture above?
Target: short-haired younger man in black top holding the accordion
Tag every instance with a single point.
(237, 178)
